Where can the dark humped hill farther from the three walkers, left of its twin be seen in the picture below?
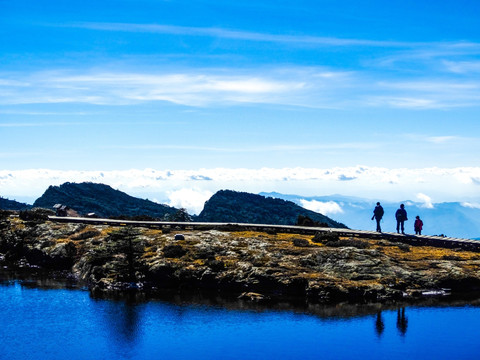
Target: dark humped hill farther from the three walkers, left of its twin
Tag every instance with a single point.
(101, 199)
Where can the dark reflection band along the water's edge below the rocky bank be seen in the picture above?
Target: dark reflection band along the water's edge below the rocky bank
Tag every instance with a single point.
(195, 297)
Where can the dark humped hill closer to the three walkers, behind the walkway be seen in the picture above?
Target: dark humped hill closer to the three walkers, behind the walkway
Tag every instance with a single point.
(241, 207)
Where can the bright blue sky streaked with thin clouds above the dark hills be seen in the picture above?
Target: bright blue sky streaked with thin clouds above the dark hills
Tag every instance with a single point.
(110, 86)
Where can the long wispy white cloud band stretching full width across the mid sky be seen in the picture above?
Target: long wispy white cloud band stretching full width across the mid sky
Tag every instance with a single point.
(295, 86)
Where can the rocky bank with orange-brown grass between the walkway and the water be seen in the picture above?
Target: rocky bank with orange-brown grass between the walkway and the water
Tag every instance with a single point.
(258, 265)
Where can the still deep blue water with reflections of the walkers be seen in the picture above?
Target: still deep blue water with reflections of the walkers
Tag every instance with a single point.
(69, 324)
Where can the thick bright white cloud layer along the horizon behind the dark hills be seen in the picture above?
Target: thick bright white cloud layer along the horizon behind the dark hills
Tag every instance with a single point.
(191, 188)
